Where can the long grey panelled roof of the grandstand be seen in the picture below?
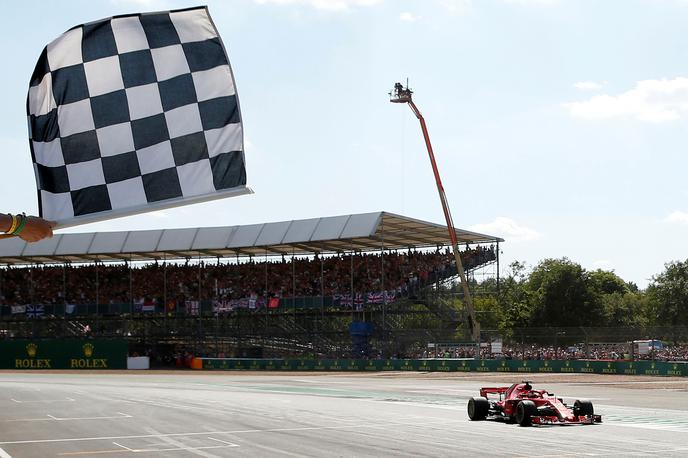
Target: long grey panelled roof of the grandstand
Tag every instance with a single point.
(366, 232)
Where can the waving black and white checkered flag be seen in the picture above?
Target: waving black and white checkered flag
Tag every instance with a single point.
(131, 111)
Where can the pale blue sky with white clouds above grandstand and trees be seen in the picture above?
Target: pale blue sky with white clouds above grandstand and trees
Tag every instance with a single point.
(558, 125)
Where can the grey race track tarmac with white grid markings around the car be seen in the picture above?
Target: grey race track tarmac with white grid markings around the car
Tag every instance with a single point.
(227, 414)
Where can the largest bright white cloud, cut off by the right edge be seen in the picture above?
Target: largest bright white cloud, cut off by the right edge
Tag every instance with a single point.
(650, 100)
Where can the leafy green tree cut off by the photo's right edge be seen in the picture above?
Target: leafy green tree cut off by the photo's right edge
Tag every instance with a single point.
(668, 295)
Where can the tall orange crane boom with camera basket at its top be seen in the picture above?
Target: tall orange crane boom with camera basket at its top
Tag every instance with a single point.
(403, 95)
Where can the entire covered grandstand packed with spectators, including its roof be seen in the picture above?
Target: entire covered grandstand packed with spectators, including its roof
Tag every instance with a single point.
(352, 285)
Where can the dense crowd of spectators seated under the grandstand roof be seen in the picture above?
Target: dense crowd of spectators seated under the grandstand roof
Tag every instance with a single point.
(254, 277)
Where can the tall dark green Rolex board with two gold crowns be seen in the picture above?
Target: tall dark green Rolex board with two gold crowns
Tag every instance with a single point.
(63, 354)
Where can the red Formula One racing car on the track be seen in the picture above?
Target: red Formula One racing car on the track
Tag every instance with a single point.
(522, 404)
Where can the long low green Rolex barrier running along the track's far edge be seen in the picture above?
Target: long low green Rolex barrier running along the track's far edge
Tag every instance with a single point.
(448, 365)
